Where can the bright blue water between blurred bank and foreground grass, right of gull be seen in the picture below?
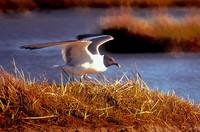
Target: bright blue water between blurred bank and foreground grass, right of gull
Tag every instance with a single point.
(167, 72)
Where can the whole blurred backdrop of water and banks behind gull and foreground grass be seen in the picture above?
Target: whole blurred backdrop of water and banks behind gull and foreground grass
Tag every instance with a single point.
(159, 39)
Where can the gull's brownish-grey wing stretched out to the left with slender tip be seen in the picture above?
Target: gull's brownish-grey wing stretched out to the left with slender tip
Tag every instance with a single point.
(73, 52)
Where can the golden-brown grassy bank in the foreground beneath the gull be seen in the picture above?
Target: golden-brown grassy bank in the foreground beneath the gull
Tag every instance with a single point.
(89, 106)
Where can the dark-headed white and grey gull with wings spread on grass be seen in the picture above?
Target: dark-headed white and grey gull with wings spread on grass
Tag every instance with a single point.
(82, 56)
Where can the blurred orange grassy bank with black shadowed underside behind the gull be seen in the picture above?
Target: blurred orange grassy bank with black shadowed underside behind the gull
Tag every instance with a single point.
(160, 33)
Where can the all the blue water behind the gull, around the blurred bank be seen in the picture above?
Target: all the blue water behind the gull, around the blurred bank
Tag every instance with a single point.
(166, 72)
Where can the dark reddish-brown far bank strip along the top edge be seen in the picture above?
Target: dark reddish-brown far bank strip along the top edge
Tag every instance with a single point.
(24, 5)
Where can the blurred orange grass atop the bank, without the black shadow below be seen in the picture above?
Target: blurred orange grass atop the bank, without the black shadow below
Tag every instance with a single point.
(180, 33)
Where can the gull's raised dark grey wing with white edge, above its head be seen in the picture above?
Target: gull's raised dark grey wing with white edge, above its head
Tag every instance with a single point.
(97, 41)
